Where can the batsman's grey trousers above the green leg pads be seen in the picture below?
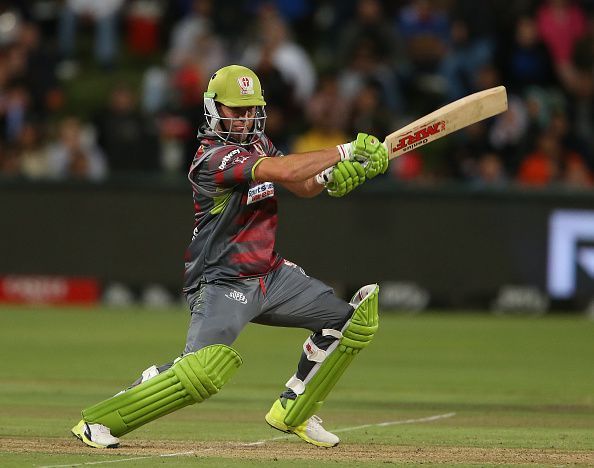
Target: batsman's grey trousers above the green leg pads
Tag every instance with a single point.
(286, 297)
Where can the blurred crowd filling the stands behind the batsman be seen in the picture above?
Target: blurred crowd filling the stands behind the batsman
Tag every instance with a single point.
(329, 69)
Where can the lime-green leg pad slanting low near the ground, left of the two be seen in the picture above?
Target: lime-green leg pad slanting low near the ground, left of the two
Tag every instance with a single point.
(192, 379)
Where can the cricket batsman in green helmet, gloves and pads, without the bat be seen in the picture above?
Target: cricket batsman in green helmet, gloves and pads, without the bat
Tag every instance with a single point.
(234, 276)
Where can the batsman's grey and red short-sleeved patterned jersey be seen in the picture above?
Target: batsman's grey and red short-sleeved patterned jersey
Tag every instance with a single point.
(235, 216)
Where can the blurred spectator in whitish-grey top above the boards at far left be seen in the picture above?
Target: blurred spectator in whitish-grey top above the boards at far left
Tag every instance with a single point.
(75, 154)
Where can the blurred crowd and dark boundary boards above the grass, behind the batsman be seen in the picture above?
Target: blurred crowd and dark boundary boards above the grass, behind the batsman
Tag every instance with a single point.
(100, 103)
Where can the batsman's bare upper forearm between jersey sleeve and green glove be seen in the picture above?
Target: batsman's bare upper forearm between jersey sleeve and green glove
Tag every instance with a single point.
(295, 168)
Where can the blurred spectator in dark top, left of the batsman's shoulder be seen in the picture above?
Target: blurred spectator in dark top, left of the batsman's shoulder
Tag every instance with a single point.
(129, 140)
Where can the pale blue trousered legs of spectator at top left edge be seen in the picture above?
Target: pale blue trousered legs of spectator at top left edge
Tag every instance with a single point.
(104, 14)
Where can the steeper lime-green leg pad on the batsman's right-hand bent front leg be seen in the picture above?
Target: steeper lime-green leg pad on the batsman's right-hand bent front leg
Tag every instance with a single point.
(356, 336)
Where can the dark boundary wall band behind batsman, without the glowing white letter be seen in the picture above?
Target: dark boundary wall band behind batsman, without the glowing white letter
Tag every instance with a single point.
(460, 245)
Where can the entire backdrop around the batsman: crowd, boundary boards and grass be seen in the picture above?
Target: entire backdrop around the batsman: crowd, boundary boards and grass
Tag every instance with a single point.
(482, 242)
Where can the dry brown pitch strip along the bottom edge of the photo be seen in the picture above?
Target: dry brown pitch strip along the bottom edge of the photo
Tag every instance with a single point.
(273, 451)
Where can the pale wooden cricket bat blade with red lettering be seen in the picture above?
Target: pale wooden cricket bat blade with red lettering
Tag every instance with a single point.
(447, 119)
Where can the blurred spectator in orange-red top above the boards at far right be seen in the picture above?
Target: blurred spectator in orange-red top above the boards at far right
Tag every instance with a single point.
(553, 164)
